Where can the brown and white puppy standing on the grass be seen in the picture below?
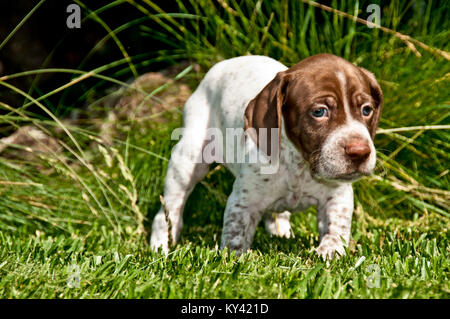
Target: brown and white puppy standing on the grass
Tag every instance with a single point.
(311, 129)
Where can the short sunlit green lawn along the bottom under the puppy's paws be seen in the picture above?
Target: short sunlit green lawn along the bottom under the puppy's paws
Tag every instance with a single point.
(411, 264)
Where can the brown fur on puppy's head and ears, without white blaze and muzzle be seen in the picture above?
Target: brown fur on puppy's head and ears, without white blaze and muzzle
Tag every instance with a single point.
(295, 92)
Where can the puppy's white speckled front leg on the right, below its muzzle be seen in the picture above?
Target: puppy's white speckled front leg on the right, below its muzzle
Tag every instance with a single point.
(334, 222)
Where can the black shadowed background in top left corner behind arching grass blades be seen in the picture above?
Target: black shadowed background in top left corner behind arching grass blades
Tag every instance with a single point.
(45, 41)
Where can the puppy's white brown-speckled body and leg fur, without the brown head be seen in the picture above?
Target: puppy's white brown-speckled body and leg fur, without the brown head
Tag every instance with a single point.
(220, 102)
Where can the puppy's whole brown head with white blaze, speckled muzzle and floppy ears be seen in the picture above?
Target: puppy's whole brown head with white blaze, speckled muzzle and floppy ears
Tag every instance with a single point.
(330, 109)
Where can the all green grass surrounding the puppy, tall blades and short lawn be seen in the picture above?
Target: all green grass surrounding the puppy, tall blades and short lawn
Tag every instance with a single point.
(95, 199)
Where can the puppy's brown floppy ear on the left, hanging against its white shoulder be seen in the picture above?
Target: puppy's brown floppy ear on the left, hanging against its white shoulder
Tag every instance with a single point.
(264, 111)
